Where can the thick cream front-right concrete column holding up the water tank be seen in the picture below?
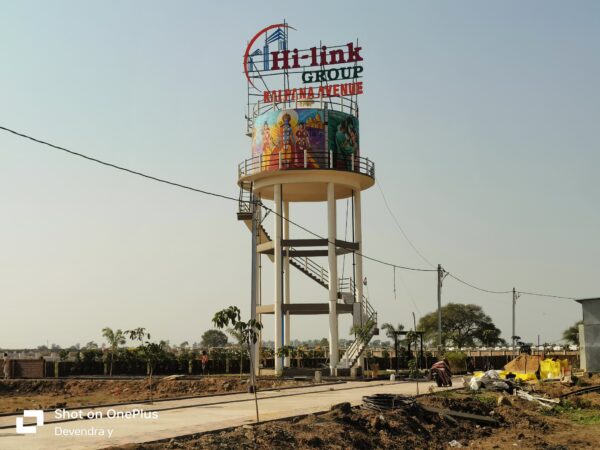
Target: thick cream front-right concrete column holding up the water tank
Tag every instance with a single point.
(333, 280)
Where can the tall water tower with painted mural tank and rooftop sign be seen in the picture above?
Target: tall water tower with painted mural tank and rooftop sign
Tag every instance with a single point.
(305, 148)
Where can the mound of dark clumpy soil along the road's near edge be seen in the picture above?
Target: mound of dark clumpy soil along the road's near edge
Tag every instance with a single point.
(342, 428)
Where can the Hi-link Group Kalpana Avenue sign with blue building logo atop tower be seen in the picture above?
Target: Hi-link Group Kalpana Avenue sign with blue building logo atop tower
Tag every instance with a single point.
(313, 65)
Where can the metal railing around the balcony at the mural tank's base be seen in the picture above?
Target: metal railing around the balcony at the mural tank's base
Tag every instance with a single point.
(306, 160)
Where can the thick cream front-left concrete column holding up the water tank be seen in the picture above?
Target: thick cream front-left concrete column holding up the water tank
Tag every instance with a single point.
(278, 291)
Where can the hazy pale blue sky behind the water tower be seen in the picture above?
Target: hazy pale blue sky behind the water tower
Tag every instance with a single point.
(481, 119)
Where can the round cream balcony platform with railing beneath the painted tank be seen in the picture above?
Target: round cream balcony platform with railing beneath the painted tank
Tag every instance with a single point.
(305, 176)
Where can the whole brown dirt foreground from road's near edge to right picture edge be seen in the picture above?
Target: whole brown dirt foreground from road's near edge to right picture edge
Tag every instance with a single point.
(575, 424)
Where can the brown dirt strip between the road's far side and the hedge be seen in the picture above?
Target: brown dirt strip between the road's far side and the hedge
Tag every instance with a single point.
(16, 395)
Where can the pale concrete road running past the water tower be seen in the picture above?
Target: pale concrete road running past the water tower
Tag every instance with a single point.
(179, 417)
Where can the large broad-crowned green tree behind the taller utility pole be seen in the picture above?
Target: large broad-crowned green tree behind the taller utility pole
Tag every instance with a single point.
(462, 326)
